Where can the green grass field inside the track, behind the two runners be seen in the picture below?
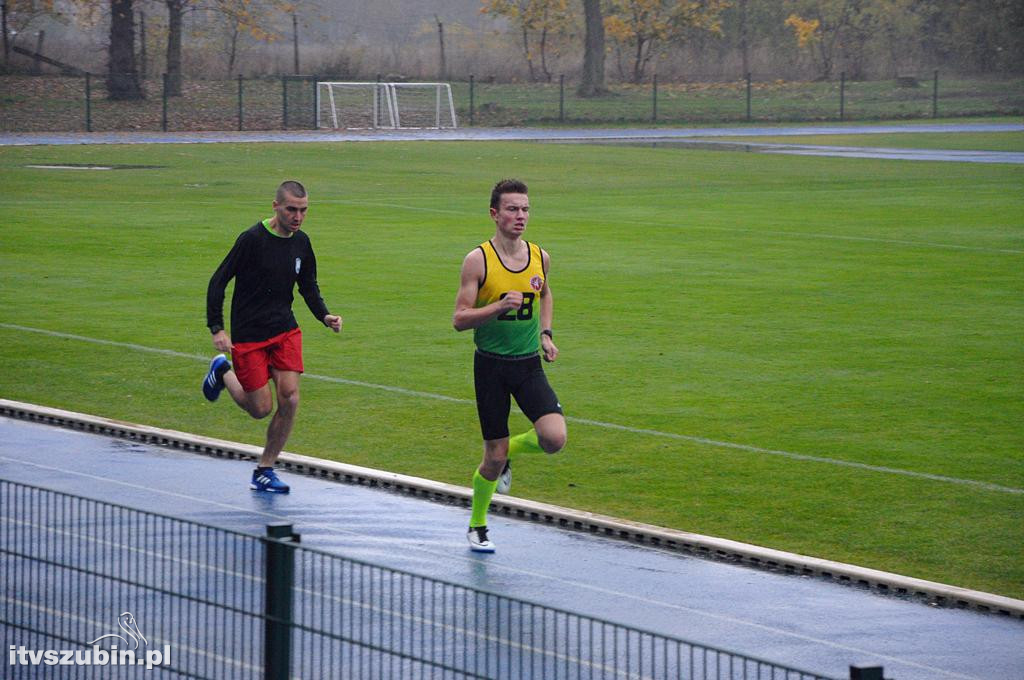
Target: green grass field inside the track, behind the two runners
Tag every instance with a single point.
(782, 351)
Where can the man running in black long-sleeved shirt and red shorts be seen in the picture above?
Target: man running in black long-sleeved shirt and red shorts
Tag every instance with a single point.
(267, 262)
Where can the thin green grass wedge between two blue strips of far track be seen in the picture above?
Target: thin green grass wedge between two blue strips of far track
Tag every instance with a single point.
(989, 142)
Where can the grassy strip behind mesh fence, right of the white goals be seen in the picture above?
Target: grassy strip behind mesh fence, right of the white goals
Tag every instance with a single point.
(505, 104)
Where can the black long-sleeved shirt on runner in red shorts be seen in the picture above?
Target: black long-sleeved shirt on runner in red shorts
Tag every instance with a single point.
(266, 269)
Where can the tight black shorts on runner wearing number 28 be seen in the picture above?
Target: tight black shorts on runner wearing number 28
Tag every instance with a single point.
(498, 378)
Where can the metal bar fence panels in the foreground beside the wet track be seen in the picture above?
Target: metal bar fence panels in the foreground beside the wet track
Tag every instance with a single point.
(101, 585)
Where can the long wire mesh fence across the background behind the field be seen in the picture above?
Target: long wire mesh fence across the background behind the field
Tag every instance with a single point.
(81, 103)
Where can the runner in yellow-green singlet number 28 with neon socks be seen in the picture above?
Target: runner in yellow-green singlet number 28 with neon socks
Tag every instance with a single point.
(504, 296)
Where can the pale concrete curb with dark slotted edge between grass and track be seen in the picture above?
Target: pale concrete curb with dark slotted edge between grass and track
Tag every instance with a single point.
(734, 551)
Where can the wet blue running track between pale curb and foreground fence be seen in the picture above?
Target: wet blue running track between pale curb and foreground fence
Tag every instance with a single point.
(798, 621)
